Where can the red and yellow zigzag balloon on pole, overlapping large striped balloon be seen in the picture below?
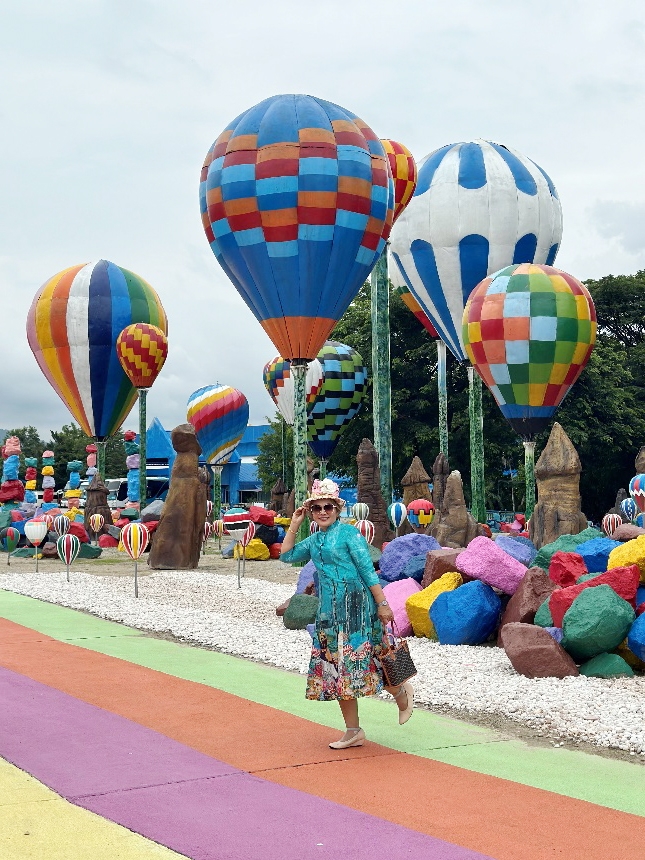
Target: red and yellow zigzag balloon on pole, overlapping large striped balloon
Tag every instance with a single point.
(142, 350)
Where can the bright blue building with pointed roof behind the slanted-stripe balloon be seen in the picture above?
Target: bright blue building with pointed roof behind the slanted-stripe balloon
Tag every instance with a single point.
(239, 476)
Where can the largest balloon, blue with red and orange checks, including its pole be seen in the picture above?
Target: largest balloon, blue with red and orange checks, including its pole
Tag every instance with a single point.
(297, 204)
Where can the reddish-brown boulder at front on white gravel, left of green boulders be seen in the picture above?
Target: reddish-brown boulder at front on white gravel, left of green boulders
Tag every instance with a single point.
(533, 652)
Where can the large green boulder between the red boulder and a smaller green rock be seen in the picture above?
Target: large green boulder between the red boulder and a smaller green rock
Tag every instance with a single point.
(597, 621)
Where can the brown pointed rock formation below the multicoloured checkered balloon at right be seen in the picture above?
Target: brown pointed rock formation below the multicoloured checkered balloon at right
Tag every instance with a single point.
(557, 474)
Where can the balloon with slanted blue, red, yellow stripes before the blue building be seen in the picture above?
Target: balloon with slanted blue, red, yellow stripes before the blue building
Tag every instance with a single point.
(219, 415)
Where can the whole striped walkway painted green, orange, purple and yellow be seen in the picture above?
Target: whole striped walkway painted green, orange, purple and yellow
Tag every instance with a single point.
(116, 745)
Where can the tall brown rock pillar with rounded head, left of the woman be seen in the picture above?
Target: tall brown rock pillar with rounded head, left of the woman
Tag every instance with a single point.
(177, 541)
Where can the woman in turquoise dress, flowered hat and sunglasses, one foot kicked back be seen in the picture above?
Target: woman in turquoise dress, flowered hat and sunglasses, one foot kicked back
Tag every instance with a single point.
(352, 610)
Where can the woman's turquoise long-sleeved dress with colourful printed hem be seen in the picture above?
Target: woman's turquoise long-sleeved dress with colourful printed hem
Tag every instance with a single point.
(348, 640)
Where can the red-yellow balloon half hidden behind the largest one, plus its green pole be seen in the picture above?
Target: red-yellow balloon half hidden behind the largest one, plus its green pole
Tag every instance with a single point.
(403, 171)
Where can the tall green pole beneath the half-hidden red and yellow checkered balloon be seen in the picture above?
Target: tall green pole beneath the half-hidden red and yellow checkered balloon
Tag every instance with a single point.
(381, 383)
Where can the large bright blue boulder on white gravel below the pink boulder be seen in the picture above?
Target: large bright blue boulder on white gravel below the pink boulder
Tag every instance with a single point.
(466, 616)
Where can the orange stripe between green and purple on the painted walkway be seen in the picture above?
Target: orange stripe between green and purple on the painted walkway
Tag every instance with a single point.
(505, 820)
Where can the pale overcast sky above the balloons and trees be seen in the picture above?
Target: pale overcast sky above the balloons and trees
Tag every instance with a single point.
(108, 108)
